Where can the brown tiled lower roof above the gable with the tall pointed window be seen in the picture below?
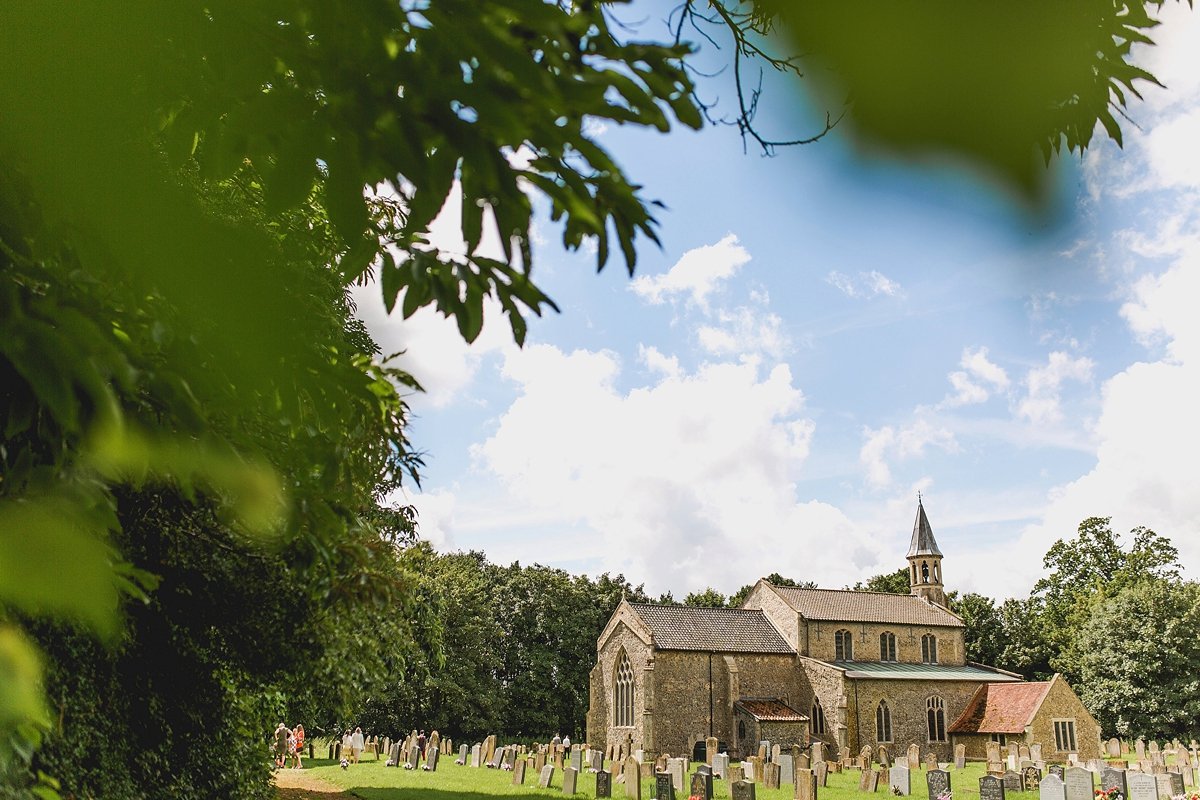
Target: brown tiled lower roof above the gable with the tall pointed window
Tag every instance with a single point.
(711, 630)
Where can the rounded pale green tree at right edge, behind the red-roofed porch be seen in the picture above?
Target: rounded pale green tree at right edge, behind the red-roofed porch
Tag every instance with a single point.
(1136, 660)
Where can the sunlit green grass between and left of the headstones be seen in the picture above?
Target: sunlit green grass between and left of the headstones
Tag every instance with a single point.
(371, 781)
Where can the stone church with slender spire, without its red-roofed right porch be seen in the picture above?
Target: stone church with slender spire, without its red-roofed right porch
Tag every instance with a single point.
(851, 669)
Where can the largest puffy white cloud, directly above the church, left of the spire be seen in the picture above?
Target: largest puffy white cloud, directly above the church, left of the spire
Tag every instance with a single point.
(687, 482)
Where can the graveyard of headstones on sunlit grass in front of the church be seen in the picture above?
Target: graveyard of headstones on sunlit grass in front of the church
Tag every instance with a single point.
(1144, 773)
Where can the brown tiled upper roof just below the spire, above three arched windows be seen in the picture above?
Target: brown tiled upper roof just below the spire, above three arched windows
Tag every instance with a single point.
(849, 606)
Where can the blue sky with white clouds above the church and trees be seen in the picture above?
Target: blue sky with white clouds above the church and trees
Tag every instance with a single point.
(820, 339)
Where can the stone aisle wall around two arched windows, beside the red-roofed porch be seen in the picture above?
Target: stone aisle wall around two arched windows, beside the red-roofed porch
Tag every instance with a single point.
(908, 703)
